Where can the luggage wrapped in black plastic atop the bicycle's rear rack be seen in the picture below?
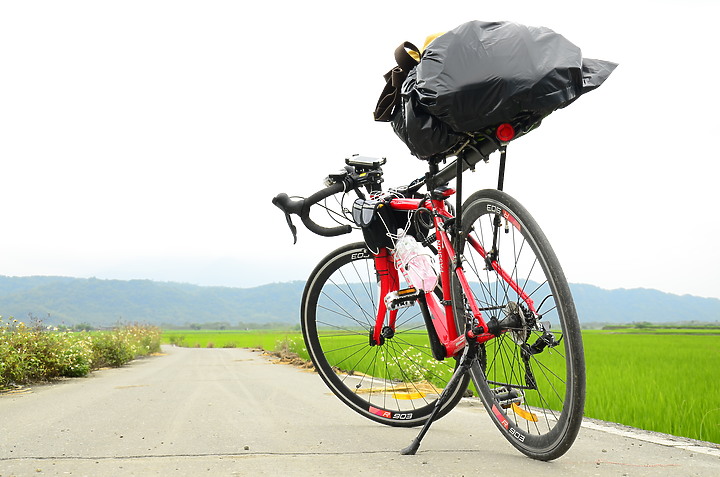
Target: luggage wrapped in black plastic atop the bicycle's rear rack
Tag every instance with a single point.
(478, 76)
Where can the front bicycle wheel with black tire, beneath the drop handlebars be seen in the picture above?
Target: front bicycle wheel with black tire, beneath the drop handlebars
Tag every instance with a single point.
(395, 383)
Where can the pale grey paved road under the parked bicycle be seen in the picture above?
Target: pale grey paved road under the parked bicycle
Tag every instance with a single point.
(233, 412)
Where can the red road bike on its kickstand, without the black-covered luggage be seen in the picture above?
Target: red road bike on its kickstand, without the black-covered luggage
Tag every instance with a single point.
(500, 321)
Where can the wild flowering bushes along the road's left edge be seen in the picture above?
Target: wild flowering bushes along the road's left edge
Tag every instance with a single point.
(30, 354)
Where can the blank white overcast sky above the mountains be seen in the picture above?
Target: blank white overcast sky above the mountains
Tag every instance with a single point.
(145, 139)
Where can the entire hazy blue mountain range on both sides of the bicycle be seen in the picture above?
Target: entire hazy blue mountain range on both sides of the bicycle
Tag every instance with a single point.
(62, 300)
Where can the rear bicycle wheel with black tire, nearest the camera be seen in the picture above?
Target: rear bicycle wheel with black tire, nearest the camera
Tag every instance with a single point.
(536, 401)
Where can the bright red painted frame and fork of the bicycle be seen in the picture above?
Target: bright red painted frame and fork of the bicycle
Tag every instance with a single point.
(442, 312)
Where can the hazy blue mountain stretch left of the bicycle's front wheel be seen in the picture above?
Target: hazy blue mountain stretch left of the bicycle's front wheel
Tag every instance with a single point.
(60, 300)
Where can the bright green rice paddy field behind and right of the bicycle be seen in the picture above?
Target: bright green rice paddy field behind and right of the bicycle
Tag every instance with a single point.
(659, 380)
